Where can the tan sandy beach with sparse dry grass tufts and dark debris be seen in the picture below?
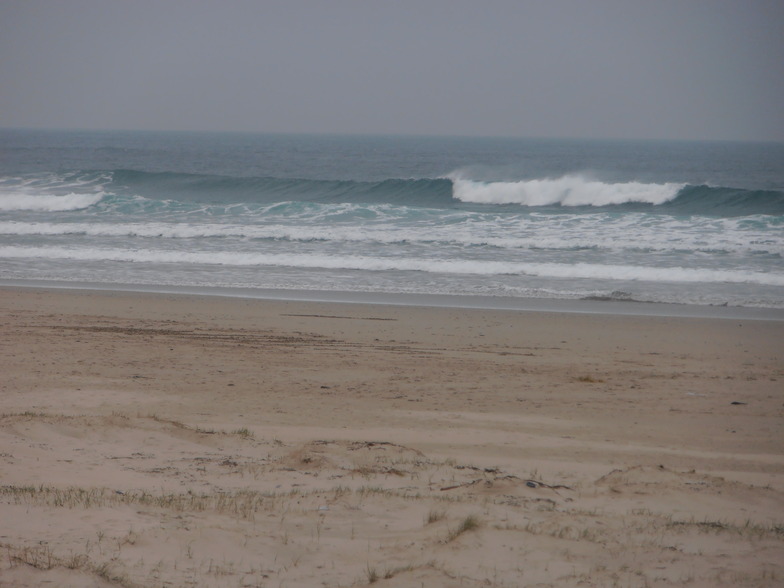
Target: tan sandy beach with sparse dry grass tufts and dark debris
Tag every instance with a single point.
(157, 440)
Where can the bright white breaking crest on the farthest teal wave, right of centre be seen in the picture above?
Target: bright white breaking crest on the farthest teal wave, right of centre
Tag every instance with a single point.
(570, 190)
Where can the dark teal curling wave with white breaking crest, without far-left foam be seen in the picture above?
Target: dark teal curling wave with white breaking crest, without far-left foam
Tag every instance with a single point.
(571, 191)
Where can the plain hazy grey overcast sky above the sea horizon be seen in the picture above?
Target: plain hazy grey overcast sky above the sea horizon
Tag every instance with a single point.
(659, 69)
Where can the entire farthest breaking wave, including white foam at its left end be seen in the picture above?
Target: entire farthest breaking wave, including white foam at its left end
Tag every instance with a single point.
(571, 192)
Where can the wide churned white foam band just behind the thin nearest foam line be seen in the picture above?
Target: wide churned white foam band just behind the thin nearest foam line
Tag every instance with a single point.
(629, 232)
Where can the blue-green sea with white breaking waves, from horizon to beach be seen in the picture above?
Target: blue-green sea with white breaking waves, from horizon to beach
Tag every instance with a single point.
(690, 223)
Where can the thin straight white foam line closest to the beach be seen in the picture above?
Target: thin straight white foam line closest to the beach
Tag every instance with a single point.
(442, 266)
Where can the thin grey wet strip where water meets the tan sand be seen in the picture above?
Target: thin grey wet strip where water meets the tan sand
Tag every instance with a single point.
(477, 302)
